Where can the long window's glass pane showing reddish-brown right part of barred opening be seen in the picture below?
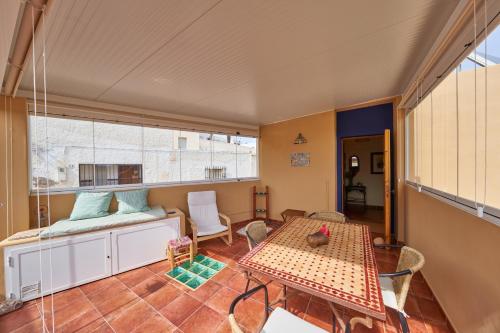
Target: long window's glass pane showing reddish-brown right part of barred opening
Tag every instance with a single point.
(118, 154)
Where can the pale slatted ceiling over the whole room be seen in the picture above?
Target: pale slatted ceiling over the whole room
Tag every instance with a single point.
(252, 62)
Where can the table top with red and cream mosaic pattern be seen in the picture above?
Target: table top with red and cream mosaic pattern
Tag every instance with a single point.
(343, 272)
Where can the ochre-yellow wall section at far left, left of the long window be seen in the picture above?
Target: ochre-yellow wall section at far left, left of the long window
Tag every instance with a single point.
(13, 172)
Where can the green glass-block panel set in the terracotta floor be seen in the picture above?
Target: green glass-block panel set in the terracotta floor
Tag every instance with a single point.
(196, 274)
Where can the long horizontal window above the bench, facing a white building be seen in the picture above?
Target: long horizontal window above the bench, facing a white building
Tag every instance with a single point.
(86, 154)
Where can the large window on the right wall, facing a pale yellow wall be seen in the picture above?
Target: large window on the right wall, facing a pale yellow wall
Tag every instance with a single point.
(453, 136)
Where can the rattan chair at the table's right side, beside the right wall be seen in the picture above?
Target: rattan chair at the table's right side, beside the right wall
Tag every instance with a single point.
(395, 285)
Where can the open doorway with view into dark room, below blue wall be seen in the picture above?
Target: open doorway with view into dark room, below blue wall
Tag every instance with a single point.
(363, 181)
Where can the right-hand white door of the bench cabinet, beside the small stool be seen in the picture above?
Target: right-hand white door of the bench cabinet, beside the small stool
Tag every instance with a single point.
(142, 244)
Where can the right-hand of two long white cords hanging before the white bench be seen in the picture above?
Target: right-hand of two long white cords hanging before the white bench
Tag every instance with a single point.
(47, 167)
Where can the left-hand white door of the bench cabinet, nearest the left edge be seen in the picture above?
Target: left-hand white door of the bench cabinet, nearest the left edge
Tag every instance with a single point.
(53, 265)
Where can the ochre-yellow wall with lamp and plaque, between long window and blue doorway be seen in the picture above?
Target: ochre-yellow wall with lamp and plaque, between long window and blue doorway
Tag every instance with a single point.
(306, 188)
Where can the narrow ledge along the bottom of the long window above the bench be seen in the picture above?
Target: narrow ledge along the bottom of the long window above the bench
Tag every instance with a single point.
(56, 191)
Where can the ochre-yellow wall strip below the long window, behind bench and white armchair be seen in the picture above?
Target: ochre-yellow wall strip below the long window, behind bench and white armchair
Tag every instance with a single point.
(233, 199)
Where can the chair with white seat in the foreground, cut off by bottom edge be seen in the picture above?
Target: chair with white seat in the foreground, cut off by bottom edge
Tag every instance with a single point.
(279, 321)
